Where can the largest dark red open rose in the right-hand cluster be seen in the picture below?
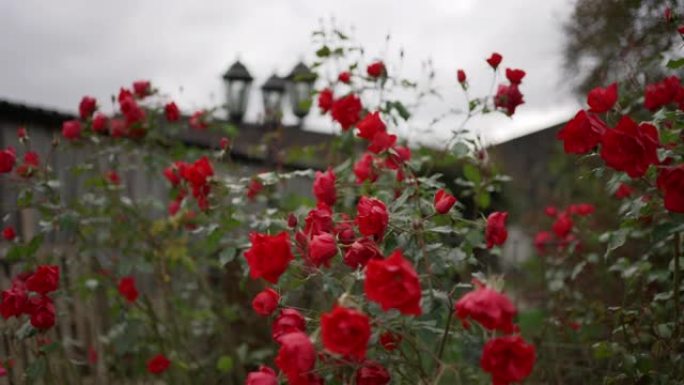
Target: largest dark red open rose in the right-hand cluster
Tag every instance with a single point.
(630, 148)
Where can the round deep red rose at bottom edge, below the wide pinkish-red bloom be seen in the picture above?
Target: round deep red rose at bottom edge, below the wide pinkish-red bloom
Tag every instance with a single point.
(508, 359)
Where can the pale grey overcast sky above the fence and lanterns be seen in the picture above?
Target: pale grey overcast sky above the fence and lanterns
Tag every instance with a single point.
(53, 52)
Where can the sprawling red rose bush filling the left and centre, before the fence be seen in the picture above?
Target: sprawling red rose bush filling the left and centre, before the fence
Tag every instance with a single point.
(384, 253)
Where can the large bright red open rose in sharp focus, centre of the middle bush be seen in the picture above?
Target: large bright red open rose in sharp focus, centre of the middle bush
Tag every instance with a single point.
(394, 284)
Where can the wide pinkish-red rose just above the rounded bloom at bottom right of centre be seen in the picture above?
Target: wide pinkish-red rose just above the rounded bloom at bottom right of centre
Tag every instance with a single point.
(491, 309)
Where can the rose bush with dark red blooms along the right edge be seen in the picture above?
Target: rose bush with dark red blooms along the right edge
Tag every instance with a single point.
(610, 289)
